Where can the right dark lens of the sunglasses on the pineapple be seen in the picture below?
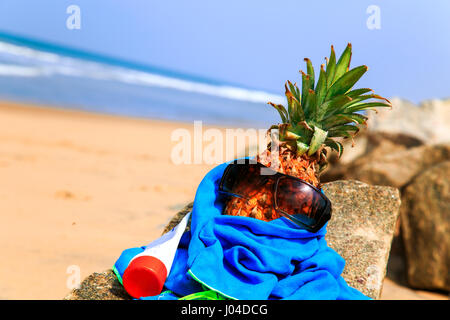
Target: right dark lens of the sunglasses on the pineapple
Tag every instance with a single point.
(300, 200)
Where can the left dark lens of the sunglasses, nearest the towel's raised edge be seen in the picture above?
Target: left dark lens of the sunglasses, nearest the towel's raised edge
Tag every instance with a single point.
(244, 180)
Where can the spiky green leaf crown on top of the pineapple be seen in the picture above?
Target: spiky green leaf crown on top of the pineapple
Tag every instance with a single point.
(319, 113)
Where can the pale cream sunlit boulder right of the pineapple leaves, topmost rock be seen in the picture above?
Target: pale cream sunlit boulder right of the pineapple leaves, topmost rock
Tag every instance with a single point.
(427, 122)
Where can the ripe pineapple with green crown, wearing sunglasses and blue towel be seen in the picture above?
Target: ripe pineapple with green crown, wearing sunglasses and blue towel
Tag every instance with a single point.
(317, 116)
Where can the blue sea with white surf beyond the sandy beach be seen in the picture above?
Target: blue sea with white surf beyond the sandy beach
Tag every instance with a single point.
(41, 73)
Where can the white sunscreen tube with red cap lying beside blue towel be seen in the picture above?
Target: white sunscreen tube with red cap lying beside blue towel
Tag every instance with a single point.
(147, 271)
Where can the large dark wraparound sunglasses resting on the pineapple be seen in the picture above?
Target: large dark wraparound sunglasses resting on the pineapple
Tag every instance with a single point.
(293, 198)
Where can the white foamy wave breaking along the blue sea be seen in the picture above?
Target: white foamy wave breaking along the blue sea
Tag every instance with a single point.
(37, 63)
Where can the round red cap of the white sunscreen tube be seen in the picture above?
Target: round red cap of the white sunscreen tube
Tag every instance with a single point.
(144, 276)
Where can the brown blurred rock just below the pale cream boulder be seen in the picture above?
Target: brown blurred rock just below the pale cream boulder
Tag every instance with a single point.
(396, 169)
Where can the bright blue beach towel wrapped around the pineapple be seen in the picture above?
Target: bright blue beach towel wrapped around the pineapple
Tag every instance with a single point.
(249, 259)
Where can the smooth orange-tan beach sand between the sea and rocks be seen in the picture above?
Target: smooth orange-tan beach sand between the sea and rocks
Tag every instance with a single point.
(77, 188)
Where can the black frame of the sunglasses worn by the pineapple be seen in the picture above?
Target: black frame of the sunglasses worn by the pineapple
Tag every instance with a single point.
(324, 216)
